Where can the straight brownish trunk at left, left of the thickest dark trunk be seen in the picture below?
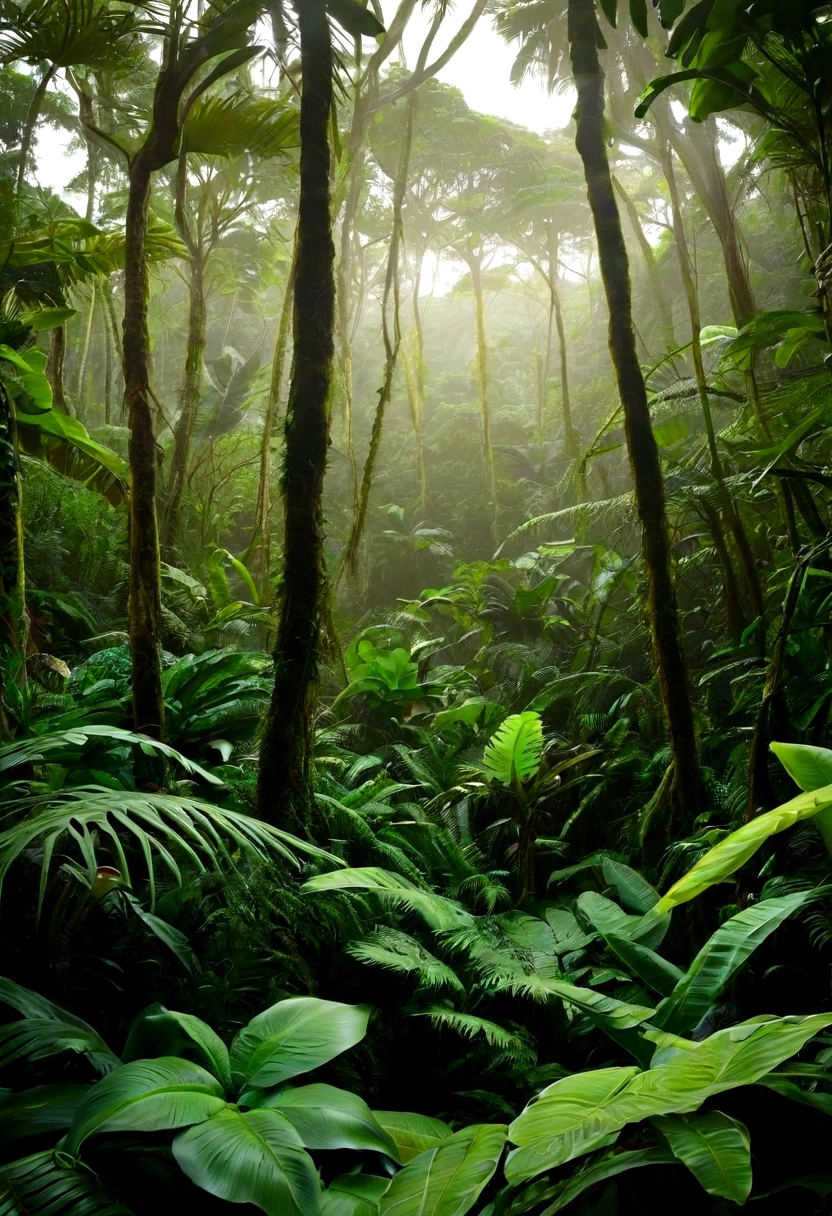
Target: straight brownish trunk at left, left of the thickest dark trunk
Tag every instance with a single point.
(145, 571)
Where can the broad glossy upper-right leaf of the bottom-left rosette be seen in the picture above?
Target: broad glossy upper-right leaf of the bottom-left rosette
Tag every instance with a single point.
(296, 1037)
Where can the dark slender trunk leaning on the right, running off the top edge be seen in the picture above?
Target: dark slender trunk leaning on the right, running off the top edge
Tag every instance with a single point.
(640, 441)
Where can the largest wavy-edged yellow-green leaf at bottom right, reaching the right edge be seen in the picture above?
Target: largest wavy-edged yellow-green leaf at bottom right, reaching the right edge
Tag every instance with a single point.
(581, 1113)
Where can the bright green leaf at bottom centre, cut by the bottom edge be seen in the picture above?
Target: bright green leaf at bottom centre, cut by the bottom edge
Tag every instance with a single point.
(447, 1180)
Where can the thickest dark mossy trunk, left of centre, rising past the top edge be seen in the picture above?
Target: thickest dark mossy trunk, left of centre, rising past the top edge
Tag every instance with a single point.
(285, 792)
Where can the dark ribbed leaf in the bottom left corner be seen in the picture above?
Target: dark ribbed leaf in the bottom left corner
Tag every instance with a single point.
(43, 1184)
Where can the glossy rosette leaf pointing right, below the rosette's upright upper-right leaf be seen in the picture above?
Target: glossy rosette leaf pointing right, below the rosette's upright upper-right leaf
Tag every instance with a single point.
(327, 1118)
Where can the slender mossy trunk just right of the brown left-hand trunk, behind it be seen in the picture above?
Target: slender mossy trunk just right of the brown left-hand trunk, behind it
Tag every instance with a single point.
(190, 397)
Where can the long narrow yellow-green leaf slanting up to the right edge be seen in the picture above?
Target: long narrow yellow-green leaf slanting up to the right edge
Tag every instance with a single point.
(735, 851)
